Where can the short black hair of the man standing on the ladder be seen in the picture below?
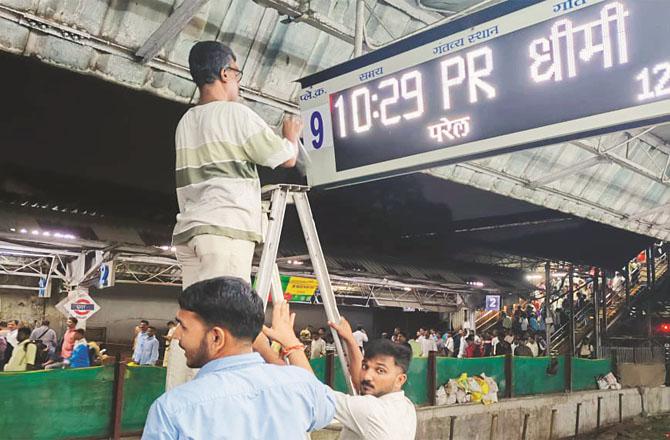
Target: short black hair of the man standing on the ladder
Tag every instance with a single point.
(206, 60)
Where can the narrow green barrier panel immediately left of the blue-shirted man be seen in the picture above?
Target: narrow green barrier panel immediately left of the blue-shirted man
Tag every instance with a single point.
(141, 387)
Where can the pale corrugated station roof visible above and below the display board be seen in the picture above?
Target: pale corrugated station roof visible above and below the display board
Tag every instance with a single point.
(620, 179)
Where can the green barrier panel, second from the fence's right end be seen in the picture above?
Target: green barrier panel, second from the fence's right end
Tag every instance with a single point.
(530, 376)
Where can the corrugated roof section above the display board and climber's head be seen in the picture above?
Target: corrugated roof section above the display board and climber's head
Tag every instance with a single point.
(101, 38)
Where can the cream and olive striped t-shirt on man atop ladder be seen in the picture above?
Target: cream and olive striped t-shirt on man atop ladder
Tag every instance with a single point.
(218, 190)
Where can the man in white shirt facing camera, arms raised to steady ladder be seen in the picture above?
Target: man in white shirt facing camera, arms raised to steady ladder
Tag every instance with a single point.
(381, 411)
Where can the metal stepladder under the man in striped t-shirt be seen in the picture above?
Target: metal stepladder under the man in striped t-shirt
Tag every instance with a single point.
(268, 280)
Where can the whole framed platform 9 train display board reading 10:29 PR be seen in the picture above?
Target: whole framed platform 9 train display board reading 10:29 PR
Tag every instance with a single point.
(521, 74)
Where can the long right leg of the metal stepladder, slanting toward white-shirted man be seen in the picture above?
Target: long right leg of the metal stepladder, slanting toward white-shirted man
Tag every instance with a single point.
(321, 271)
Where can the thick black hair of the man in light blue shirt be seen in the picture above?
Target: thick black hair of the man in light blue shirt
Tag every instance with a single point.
(227, 302)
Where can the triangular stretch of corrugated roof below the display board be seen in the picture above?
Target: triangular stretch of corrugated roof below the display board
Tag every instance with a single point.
(620, 179)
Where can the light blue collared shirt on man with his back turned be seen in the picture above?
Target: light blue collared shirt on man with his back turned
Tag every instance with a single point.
(242, 398)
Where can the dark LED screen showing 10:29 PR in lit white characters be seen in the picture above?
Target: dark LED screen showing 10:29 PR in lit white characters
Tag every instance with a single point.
(600, 58)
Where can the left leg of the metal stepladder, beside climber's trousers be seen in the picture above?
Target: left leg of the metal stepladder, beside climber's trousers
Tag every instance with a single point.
(268, 262)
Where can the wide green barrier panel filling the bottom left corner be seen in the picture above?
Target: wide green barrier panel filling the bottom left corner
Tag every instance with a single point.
(63, 403)
